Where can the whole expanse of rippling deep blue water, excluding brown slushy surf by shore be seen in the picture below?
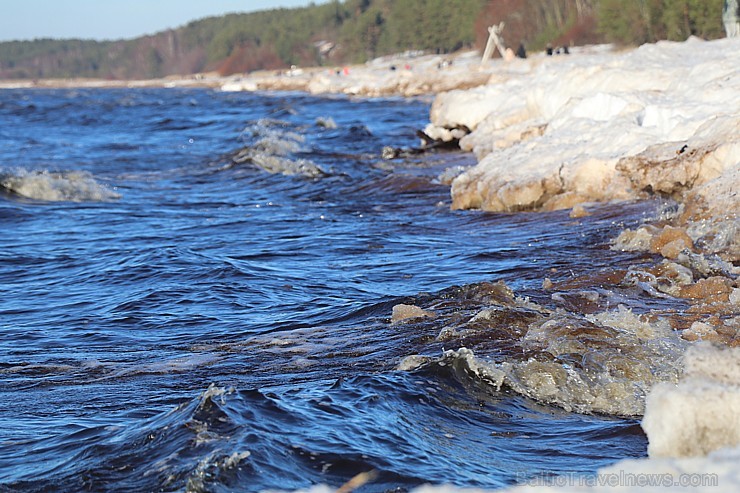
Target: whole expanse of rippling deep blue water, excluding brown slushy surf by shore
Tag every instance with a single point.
(196, 291)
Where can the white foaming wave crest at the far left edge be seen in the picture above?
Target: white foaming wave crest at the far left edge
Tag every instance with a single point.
(63, 186)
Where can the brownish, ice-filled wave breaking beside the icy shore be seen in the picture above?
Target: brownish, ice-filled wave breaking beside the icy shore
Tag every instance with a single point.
(605, 362)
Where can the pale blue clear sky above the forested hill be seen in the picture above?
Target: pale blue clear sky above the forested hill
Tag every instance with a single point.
(115, 19)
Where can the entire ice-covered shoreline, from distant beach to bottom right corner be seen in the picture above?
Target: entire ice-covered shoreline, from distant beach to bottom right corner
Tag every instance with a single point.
(565, 132)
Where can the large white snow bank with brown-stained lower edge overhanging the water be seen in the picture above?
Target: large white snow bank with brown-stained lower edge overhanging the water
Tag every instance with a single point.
(664, 118)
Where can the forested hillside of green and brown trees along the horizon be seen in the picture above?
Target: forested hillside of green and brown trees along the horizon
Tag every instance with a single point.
(352, 31)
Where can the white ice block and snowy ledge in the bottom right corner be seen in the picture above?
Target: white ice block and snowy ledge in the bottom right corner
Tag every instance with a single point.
(693, 430)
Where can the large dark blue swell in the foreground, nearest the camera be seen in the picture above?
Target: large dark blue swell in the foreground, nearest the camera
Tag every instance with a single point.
(410, 428)
